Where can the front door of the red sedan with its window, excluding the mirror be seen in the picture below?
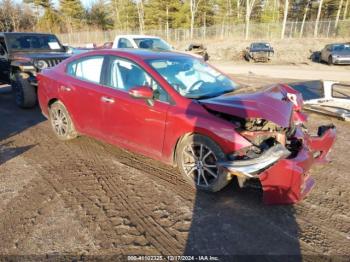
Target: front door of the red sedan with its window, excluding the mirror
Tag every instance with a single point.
(135, 123)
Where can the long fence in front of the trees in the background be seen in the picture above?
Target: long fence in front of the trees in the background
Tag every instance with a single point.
(268, 31)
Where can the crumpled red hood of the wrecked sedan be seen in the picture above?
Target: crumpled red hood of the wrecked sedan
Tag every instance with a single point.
(271, 104)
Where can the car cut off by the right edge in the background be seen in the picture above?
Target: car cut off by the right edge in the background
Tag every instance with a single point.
(336, 54)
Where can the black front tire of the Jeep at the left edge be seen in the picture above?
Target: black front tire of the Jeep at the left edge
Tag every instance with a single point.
(24, 92)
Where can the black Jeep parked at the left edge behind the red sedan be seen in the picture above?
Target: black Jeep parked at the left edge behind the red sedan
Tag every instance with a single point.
(22, 56)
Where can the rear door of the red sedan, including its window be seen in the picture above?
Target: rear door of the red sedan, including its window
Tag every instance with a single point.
(82, 94)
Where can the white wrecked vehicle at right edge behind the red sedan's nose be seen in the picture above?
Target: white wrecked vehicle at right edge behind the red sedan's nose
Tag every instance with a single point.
(326, 97)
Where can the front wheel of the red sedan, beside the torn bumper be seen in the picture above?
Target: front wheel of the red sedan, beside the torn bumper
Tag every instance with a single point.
(204, 163)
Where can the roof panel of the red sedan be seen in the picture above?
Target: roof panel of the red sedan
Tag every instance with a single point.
(138, 54)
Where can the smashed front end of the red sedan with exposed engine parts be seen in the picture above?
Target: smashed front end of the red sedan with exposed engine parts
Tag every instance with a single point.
(279, 157)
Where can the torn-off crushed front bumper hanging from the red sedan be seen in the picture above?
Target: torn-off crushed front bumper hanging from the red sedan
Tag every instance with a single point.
(284, 179)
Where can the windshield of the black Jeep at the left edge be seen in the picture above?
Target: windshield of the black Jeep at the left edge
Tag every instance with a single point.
(33, 42)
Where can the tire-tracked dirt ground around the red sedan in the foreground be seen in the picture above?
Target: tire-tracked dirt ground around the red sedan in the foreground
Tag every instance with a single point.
(85, 197)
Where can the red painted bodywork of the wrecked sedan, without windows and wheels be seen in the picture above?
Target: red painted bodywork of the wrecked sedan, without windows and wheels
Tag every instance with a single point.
(154, 130)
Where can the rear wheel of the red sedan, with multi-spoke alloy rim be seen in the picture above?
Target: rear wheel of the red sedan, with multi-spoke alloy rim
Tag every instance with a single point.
(61, 122)
